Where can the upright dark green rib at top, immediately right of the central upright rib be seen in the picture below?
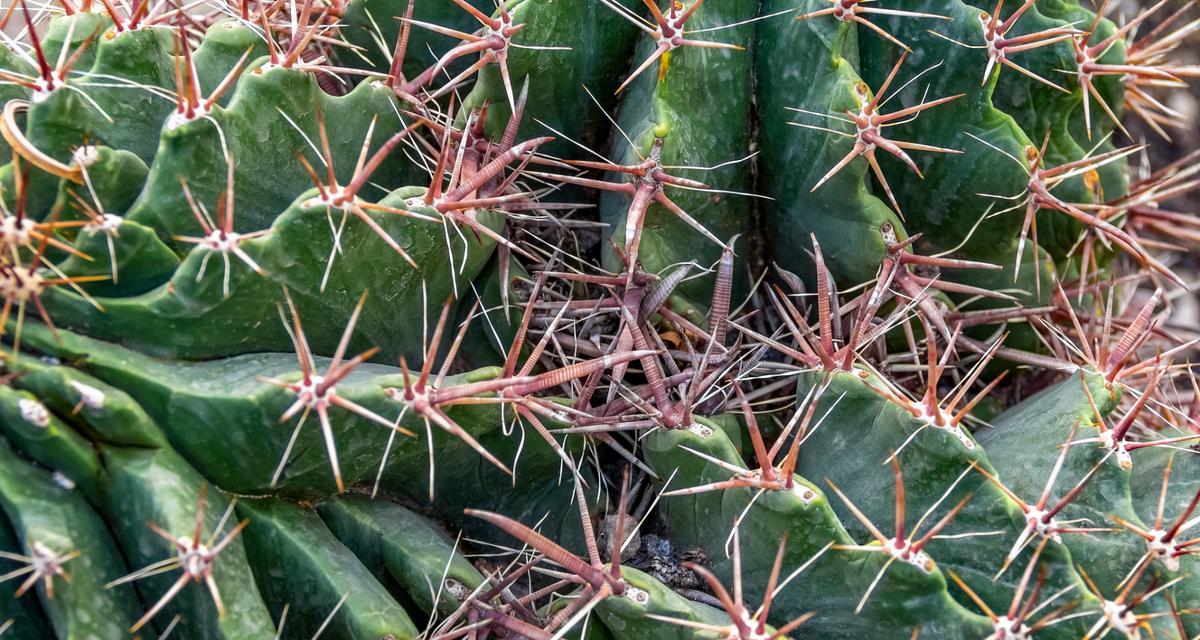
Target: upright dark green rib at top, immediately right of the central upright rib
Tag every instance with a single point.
(819, 81)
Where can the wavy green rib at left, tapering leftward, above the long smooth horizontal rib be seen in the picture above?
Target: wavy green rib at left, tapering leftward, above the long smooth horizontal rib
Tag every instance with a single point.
(298, 254)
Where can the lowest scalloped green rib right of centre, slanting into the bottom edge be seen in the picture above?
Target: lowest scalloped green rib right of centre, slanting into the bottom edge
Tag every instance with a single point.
(813, 530)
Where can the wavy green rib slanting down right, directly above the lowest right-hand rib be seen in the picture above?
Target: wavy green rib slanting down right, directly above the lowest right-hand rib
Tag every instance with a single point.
(955, 465)
